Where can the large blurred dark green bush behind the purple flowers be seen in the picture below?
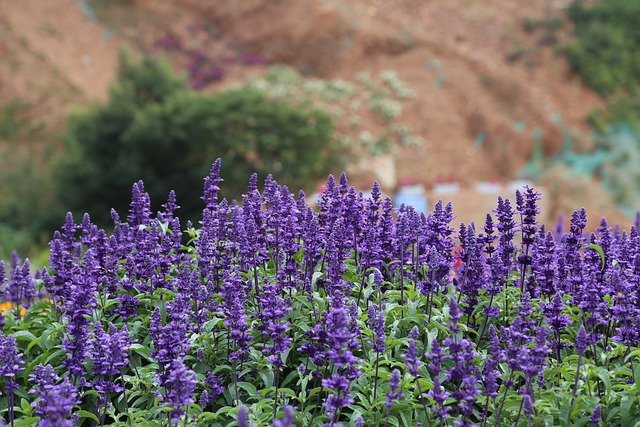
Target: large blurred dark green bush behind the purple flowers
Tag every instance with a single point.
(156, 129)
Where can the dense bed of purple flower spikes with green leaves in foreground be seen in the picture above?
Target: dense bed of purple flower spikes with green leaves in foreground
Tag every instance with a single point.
(270, 312)
